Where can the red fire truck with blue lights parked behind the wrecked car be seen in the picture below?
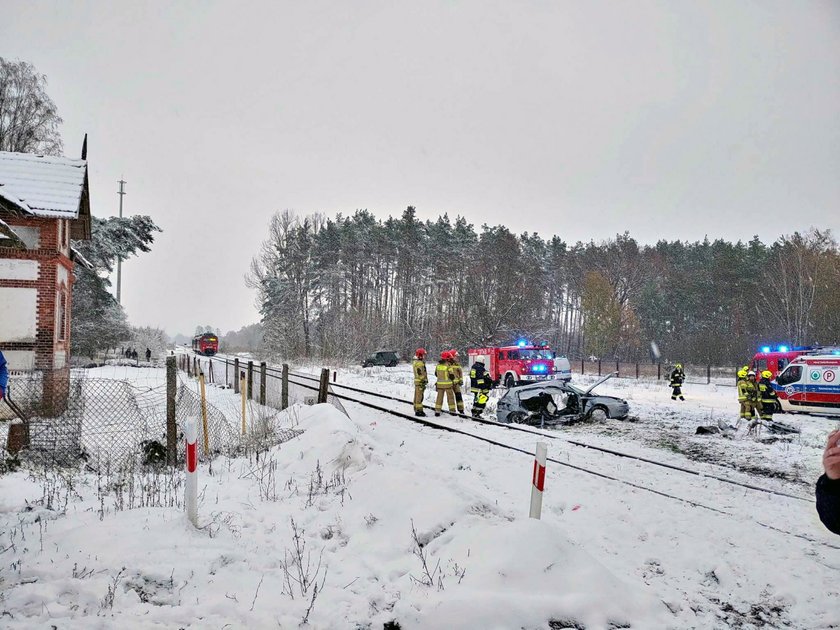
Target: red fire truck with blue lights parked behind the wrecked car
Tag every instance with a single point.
(522, 363)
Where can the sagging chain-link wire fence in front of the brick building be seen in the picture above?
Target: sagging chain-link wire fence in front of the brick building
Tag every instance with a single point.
(66, 417)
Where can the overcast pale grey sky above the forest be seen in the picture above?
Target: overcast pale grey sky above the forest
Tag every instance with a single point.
(582, 119)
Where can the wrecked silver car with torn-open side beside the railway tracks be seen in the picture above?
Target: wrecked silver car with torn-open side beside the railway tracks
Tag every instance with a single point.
(550, 403)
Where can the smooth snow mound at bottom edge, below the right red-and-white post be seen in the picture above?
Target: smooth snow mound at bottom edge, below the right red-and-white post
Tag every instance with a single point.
(523, 573)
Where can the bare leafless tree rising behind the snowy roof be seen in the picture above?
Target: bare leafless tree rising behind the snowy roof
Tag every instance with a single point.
(29, 120)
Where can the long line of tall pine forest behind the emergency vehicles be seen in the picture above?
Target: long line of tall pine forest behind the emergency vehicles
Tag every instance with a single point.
(346, 286)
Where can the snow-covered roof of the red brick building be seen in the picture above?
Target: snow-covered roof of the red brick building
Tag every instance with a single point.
(48, 187)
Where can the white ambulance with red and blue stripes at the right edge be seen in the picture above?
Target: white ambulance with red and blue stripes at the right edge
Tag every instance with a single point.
(810, 384)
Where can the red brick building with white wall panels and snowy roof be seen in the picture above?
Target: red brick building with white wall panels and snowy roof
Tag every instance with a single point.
(44, 202)
